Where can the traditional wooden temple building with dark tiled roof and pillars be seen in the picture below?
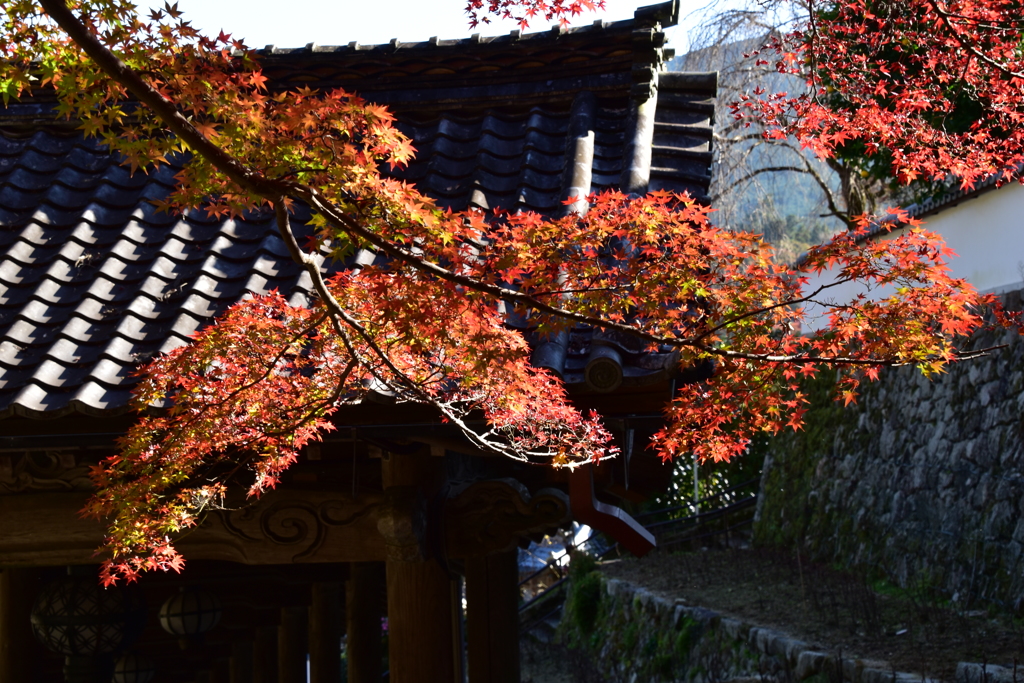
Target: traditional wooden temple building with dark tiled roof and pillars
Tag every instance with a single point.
(394, 522)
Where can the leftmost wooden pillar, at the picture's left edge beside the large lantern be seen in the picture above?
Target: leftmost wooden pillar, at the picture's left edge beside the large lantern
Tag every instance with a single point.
(18, 646)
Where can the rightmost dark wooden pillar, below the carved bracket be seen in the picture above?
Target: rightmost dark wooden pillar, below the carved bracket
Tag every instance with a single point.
(493, 618)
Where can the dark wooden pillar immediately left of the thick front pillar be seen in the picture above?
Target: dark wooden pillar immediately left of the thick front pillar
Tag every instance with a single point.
(364, 593)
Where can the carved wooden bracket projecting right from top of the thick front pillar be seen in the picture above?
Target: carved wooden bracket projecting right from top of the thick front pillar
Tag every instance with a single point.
(493, 517)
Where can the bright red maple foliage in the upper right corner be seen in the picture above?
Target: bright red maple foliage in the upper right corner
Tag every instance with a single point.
(926, 90)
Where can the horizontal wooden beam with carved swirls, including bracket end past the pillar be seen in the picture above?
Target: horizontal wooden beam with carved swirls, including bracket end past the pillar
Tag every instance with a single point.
(302, 526)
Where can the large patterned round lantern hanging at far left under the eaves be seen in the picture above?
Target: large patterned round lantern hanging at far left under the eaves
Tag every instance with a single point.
(77, 618)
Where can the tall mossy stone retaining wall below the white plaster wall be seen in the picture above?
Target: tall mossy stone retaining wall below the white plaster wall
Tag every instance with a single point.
(922, 481)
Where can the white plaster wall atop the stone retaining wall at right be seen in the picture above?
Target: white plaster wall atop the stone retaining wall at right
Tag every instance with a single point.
(987, 233)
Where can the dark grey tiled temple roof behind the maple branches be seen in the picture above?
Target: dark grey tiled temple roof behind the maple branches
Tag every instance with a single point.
(94, 281)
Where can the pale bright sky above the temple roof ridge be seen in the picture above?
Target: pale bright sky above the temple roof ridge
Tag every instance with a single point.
(296, 23)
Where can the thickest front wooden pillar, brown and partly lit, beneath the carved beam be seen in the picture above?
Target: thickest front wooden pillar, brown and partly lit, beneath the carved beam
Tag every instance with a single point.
(419, 593)
